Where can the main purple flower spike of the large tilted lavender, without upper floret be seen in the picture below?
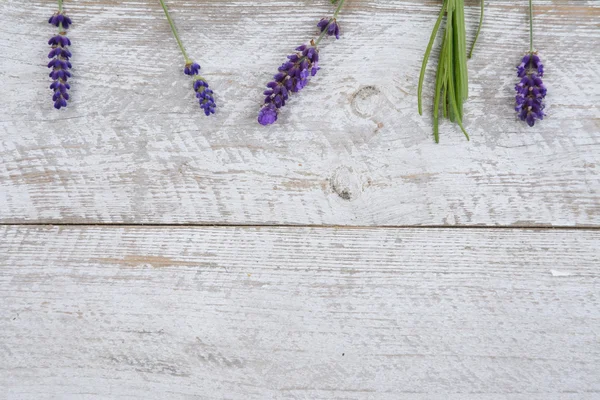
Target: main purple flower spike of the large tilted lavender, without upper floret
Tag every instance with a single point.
(292, 77)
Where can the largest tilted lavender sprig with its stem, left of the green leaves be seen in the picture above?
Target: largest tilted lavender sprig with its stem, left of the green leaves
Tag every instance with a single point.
(294, 74)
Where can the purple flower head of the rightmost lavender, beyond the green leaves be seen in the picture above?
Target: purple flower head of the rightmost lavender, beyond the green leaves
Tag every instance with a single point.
(530, 90)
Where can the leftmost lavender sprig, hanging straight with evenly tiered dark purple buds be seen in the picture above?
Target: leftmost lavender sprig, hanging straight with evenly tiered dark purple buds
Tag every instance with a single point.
(60, 56)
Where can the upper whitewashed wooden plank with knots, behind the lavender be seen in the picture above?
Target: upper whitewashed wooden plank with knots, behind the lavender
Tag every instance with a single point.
(133, 146)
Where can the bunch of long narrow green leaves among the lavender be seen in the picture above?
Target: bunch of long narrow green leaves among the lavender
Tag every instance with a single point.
(451, 82)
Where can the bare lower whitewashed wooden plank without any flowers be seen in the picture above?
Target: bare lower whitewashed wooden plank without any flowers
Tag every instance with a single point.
(299, 313)
